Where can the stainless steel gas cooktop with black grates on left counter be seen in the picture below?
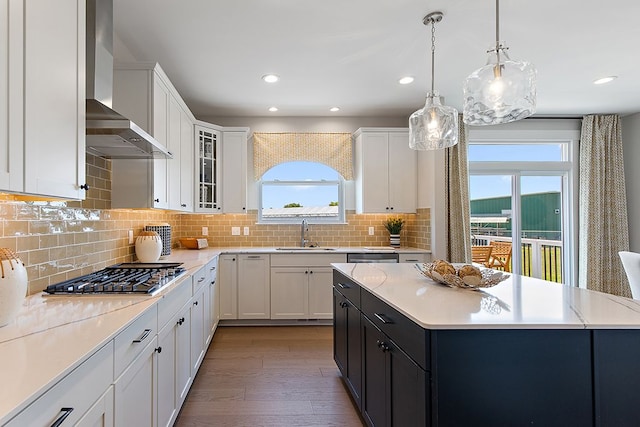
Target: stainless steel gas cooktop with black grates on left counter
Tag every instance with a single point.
(126, 278)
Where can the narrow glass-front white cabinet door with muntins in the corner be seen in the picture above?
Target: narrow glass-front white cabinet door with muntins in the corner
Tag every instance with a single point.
(208, 169)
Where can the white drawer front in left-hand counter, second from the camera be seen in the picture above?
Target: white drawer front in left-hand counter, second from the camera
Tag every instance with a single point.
(133, 339)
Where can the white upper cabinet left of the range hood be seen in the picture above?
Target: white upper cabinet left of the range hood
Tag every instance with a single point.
(42, 98)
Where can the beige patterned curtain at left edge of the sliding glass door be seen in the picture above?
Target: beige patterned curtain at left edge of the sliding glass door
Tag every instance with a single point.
(457, 199)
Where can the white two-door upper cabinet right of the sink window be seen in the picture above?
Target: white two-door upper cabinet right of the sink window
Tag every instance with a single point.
(386, 171)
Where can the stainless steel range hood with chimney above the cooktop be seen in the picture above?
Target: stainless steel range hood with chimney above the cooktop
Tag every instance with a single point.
(109, 134)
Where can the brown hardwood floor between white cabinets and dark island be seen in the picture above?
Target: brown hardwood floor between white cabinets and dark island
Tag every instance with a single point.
(269, 376)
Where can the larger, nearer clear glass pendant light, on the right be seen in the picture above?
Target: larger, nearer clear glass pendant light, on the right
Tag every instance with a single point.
(503, 90)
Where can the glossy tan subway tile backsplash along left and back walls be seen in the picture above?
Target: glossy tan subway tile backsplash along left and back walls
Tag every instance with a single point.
(59, 240)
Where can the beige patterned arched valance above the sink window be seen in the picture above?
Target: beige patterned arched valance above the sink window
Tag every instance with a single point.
(332, 149)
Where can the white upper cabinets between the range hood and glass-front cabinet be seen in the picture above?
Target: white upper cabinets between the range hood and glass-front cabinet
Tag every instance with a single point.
(143, 93)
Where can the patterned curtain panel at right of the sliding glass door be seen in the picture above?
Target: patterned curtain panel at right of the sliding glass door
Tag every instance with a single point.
(604, 228)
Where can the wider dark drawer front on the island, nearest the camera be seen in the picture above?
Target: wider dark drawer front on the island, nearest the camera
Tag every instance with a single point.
(410, 337)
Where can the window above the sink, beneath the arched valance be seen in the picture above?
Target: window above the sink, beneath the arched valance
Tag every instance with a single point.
(292, 191)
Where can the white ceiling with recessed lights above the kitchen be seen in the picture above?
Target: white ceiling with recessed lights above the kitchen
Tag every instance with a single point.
(351, 53)
